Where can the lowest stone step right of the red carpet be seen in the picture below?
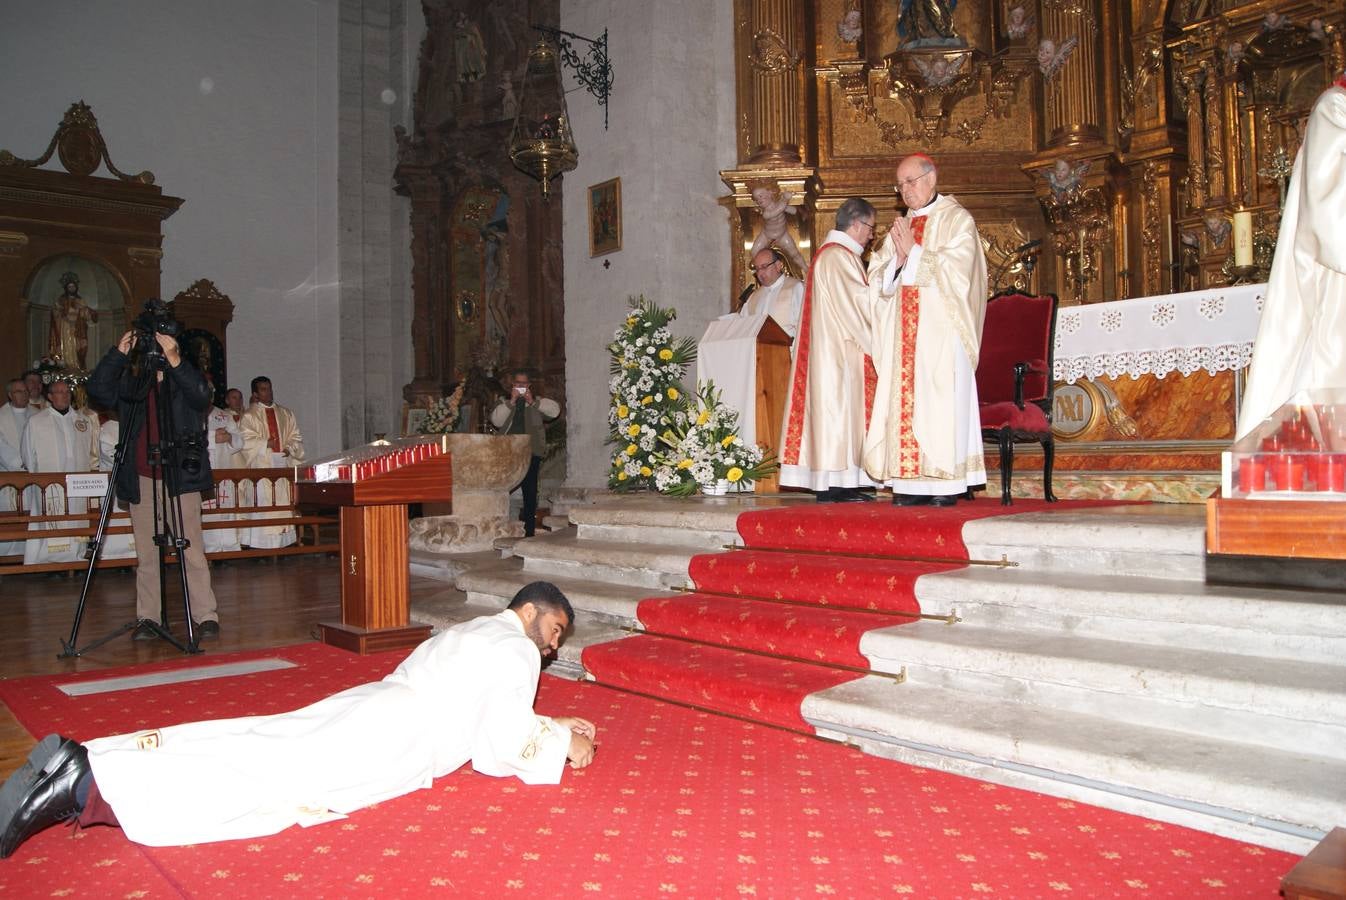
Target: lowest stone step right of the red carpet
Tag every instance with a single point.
(1273, 797)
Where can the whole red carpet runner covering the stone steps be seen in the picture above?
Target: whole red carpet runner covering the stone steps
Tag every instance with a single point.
(812, 582)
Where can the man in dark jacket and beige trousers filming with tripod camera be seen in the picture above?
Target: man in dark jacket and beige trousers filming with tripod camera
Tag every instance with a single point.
(185, 474)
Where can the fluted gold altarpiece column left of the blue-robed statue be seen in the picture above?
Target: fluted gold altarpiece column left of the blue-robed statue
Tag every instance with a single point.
(772, 84)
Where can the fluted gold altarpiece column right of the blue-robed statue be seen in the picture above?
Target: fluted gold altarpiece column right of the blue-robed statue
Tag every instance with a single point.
(1072, 95)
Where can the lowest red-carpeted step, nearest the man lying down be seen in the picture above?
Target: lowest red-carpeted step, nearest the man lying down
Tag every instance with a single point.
(728, 681)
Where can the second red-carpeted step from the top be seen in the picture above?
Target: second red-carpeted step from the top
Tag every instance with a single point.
(826, 580)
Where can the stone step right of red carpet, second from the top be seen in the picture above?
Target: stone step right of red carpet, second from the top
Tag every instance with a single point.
(1258, 622)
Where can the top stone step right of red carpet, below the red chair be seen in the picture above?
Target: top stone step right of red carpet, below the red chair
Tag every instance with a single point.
(1162, 540)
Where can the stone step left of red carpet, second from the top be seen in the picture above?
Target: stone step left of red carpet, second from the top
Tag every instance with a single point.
(641, 566)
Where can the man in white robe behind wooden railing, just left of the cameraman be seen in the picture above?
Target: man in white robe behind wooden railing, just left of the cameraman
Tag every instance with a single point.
(59, 439)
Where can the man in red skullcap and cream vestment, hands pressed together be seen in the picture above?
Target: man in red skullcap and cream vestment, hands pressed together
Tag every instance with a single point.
(925, 438)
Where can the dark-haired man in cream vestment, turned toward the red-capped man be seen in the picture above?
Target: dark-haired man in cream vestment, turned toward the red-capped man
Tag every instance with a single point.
(833, 377)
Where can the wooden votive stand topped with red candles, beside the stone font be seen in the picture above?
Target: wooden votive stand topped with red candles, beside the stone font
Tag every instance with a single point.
(375, 605)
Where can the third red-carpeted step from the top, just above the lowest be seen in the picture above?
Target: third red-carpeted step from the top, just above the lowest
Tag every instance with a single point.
(828, 637)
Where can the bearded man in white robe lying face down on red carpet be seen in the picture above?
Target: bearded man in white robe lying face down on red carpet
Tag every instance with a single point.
(464, 696)
